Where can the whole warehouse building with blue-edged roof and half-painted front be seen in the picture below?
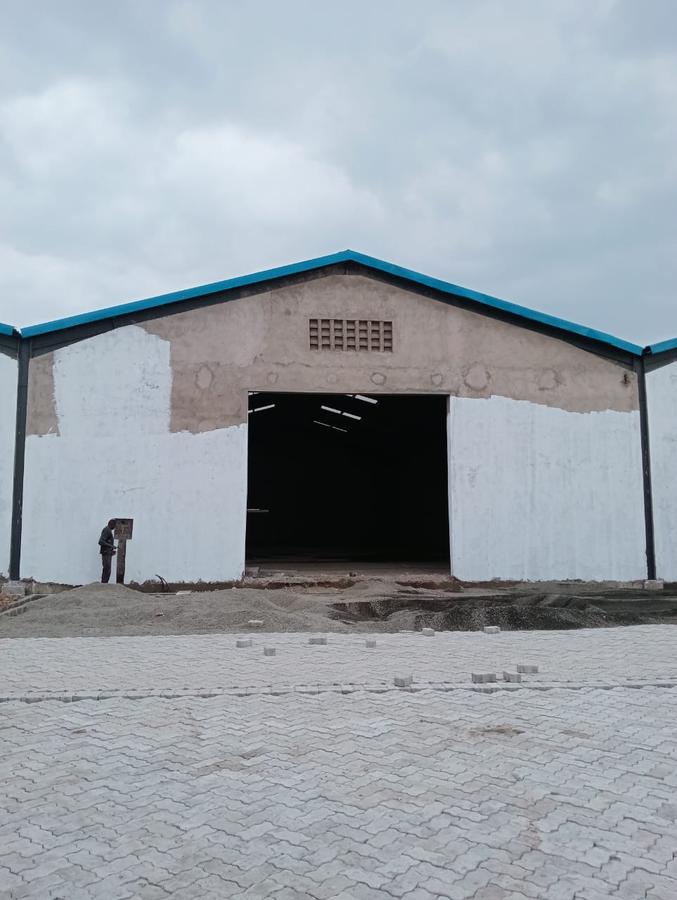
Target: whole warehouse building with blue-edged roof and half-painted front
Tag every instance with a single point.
(341, 408)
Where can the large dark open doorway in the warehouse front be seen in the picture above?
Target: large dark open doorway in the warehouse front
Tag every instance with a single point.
(347, 478)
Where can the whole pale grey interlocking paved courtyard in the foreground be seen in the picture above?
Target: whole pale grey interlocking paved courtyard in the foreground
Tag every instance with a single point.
(189, 768)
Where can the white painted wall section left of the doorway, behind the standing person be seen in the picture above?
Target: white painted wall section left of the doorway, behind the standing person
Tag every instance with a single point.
(115, 456)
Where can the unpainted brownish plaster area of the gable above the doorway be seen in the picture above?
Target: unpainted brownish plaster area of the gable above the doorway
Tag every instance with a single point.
(261, 341)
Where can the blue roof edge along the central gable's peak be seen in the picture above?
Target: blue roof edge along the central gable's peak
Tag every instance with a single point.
(320, 262)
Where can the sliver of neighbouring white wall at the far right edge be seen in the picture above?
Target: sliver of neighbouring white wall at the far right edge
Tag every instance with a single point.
(661, 389)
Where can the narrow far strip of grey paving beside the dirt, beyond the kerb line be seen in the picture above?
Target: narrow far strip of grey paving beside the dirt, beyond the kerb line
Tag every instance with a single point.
(44, 666)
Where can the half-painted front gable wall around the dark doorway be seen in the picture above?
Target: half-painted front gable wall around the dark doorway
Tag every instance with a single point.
(150, 421)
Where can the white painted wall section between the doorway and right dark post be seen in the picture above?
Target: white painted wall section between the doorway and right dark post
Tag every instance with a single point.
(537, 493)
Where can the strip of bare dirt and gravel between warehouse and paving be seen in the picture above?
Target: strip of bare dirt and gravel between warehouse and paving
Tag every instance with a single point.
(373, 604)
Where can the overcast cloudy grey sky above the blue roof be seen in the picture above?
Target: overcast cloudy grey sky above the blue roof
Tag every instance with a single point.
(524, 149)
